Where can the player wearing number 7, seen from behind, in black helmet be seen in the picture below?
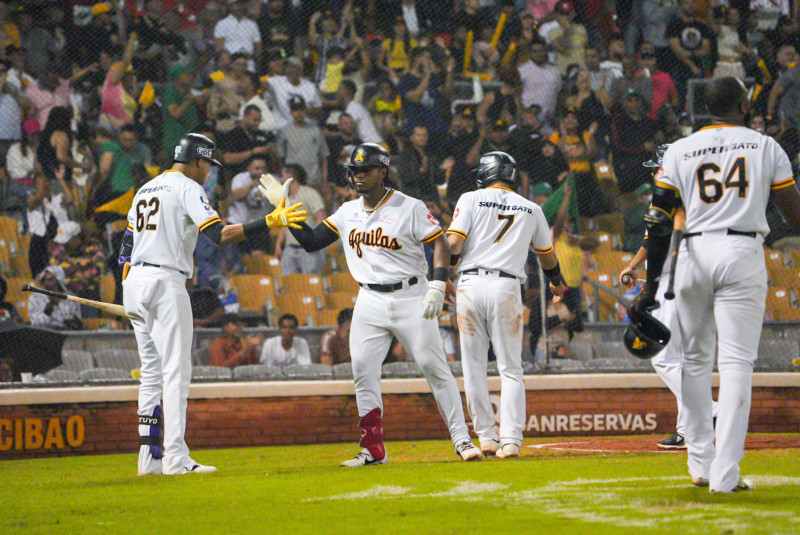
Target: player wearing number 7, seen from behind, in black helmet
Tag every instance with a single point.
(490, 233)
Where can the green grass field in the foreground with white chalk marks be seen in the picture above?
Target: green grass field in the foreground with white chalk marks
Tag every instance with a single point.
(424, 489)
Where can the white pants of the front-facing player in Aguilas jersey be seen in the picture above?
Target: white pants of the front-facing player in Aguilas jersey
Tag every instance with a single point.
(377, 317)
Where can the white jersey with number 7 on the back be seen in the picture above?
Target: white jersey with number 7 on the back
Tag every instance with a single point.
(498, 225)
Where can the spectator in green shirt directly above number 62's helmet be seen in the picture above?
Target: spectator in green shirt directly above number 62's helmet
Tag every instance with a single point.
(181, 107)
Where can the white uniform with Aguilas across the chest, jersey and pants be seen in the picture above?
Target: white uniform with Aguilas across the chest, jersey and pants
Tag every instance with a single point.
(386, 248)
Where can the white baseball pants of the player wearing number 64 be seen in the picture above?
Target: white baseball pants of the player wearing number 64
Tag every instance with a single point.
(722, 279)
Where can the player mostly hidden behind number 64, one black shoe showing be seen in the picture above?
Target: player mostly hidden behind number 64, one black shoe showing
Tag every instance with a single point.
(668, 361)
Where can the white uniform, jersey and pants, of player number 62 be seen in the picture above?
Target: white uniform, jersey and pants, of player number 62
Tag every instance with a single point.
(165, 218)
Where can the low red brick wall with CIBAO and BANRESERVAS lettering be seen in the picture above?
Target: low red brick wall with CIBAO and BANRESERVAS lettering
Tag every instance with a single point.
(110, 427)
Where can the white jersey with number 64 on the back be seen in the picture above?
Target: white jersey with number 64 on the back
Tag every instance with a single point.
(724, 174)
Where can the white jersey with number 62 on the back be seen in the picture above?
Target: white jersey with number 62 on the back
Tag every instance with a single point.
(165, 218)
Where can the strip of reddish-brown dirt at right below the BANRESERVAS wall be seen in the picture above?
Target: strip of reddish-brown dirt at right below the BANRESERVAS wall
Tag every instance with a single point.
(647, 443)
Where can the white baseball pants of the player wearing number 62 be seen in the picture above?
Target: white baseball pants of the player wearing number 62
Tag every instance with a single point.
(158, 306)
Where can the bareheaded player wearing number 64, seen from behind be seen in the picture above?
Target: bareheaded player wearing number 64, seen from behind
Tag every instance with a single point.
(723, 176)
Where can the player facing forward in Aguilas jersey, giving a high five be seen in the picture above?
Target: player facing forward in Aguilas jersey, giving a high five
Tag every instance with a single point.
(384, 232)
